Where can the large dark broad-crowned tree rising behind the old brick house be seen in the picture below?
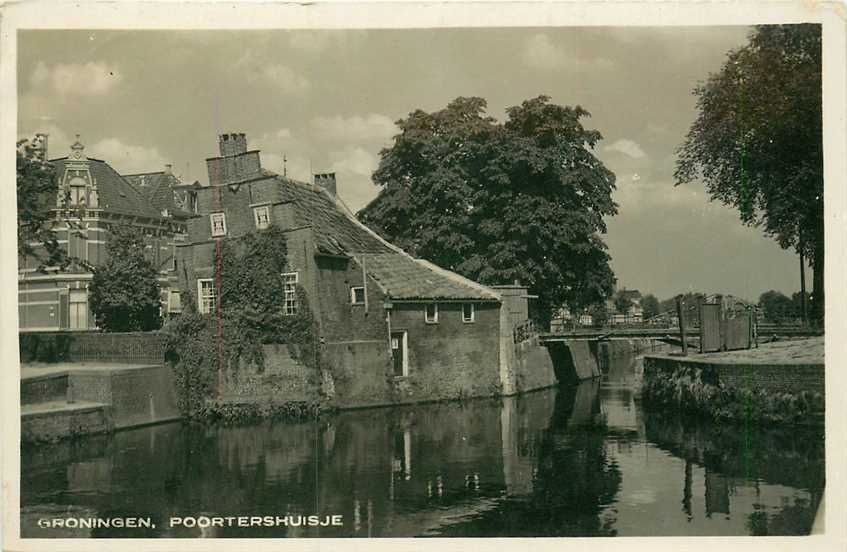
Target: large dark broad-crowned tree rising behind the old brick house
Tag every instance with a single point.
(522, 200)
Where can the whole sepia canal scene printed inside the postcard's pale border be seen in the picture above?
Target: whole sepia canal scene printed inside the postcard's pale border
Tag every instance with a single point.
(458, 281)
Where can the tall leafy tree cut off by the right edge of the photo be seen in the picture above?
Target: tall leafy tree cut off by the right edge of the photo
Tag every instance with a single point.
(757, 140)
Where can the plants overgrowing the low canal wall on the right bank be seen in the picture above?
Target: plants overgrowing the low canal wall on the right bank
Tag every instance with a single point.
(685, 391)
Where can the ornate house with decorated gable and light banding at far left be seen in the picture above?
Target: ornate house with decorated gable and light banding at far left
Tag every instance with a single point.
(92, 197)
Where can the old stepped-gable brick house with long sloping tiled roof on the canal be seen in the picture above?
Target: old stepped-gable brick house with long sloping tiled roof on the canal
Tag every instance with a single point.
(394, 328)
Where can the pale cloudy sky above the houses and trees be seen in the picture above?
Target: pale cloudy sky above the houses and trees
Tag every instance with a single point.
(328, 100)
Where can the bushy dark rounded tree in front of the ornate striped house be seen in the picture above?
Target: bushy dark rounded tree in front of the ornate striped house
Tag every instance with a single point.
(124, 291)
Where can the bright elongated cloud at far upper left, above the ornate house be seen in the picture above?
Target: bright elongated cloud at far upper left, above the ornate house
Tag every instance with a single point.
(75, 79)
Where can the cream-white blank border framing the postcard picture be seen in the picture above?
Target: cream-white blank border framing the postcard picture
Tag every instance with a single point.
(267, 15)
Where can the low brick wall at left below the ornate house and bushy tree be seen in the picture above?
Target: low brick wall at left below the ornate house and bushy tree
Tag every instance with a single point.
(133, 348)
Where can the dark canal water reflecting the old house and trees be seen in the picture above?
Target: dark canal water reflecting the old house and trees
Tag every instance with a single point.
(584, 461)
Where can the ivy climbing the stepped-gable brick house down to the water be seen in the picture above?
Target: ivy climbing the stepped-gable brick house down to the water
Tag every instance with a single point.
(248, 315)
